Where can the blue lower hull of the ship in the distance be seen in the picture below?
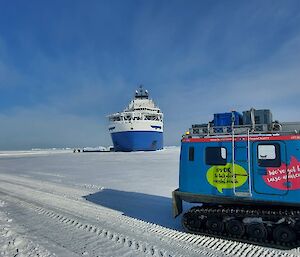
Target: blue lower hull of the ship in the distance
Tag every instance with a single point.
(128, 141)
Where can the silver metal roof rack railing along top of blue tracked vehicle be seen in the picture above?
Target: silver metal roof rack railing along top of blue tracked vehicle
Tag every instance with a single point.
(207, 130)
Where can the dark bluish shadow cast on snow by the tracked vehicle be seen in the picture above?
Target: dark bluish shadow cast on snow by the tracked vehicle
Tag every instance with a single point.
(149, 208)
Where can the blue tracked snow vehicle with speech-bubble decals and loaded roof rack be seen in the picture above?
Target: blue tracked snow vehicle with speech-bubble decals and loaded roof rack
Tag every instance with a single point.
(243, 172)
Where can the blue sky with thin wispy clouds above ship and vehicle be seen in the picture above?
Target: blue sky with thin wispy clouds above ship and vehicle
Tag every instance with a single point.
(65, 65)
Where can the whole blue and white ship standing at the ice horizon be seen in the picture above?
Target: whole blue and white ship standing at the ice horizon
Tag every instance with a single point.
(139, 127)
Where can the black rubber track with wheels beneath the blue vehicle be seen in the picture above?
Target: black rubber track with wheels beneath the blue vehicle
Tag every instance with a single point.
(279, 228)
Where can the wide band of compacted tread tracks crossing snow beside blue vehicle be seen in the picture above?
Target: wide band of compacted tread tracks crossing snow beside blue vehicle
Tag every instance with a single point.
(107, 230)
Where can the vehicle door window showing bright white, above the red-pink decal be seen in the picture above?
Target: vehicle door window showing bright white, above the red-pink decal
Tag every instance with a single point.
(268, 155)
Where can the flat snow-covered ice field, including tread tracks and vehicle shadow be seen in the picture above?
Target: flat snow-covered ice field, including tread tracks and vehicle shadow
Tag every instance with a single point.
(60, 203)
